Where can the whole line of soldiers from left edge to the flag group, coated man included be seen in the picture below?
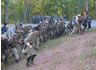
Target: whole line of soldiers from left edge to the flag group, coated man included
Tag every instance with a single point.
(27, 40)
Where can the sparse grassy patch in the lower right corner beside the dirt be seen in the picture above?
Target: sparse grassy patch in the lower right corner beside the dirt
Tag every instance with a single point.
(87, 60)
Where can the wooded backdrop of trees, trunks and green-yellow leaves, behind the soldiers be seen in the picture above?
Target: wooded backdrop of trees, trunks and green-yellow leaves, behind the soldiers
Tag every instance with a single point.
(12, 10)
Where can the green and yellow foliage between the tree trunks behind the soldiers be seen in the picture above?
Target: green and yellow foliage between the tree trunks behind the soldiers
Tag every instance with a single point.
(46, 7)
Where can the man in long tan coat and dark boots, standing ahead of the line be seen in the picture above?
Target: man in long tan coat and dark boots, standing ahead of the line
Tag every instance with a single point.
(31, 42)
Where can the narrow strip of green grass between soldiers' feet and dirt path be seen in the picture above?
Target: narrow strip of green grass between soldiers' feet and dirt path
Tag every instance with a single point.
(51, 44)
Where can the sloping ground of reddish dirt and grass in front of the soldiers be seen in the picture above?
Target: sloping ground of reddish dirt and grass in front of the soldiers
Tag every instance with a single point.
(65, 53)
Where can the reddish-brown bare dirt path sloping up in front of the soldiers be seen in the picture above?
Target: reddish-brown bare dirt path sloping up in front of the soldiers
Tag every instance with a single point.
(64, 57)
